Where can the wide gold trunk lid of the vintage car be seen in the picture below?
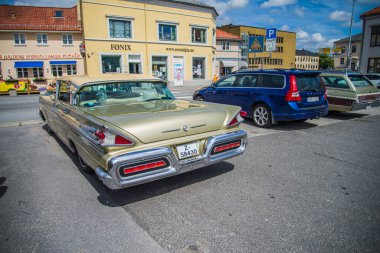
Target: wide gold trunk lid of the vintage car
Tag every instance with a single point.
(161, 120)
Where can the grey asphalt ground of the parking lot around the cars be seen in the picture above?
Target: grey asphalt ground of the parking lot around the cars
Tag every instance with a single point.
(299, 187)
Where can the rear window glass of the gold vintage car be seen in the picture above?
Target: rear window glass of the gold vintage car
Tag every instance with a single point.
(122, 92)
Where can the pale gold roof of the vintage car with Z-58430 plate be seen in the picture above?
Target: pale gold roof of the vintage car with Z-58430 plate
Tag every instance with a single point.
(85, 80)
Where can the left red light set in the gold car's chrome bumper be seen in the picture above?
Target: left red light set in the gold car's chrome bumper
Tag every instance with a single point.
(144, 166)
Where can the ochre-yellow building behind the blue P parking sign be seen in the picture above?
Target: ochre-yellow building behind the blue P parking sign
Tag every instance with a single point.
(282, 58)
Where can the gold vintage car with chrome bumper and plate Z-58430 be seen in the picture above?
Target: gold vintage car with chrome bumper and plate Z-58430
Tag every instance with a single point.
(132, 130)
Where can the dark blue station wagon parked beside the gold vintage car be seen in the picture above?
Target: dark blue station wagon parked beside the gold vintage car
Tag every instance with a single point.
(269, 96)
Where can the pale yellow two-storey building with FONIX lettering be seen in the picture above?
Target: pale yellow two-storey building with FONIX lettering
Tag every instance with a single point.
(169, 39)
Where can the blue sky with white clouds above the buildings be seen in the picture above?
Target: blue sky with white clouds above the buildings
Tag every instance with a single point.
(317, 23)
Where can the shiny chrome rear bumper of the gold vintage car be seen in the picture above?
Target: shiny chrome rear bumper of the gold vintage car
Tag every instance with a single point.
(113, 180)
